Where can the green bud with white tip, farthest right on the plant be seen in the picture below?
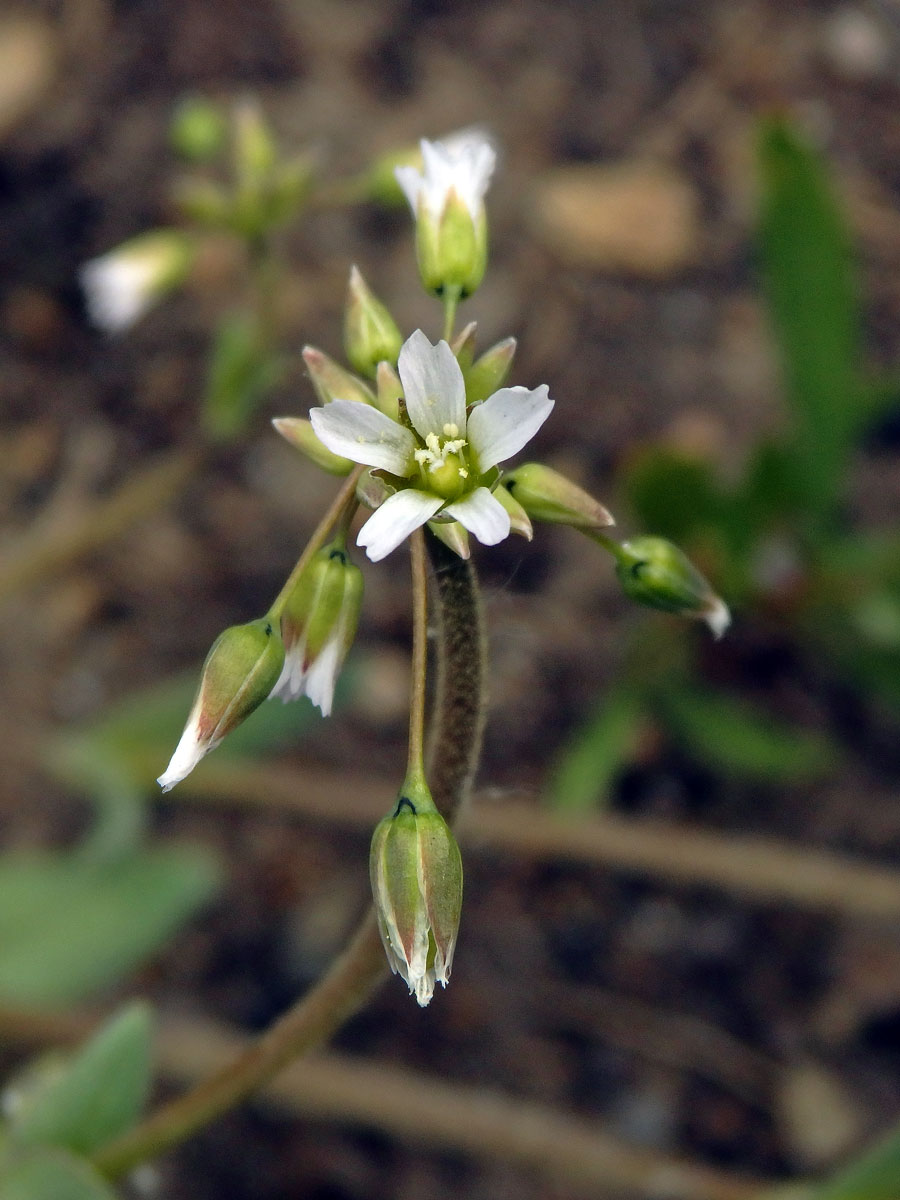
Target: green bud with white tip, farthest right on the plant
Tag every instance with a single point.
(655, 572)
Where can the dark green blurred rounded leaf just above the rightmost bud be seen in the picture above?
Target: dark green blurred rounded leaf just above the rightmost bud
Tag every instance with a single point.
(673, 495)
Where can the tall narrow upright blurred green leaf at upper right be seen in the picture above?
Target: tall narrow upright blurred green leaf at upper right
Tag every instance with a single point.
(812, 296)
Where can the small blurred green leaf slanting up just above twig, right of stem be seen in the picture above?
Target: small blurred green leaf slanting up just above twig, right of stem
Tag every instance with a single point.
(598, 752)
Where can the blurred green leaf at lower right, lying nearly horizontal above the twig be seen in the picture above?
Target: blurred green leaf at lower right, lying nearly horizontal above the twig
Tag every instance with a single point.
(739, 740)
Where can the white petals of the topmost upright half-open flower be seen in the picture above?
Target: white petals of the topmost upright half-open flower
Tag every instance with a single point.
(463, 163)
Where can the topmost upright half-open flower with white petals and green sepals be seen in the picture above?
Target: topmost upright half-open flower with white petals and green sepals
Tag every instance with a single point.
(447, 199)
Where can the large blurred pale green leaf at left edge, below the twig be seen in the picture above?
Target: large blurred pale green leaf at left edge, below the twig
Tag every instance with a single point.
(70, 926)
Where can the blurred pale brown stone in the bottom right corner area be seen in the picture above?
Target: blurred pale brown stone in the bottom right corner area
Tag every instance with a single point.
(820, 1121)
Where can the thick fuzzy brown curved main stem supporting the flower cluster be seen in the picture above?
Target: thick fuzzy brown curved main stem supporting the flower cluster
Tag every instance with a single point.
(455, 748)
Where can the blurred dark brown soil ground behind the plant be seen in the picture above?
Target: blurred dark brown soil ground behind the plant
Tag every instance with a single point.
(601, 993)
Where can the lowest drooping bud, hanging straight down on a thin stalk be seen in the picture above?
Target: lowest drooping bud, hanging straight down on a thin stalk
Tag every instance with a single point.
(417, 886)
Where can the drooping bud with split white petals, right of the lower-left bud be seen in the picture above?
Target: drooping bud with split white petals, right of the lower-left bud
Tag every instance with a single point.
(319, 626)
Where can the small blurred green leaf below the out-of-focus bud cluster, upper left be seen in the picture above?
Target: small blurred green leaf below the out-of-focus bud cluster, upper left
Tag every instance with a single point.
(242, 371)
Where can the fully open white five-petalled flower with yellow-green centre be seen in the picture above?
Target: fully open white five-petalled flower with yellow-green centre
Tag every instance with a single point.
(447, 457)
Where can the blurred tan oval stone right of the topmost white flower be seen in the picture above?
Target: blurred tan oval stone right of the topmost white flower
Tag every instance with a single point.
(637, 218)
